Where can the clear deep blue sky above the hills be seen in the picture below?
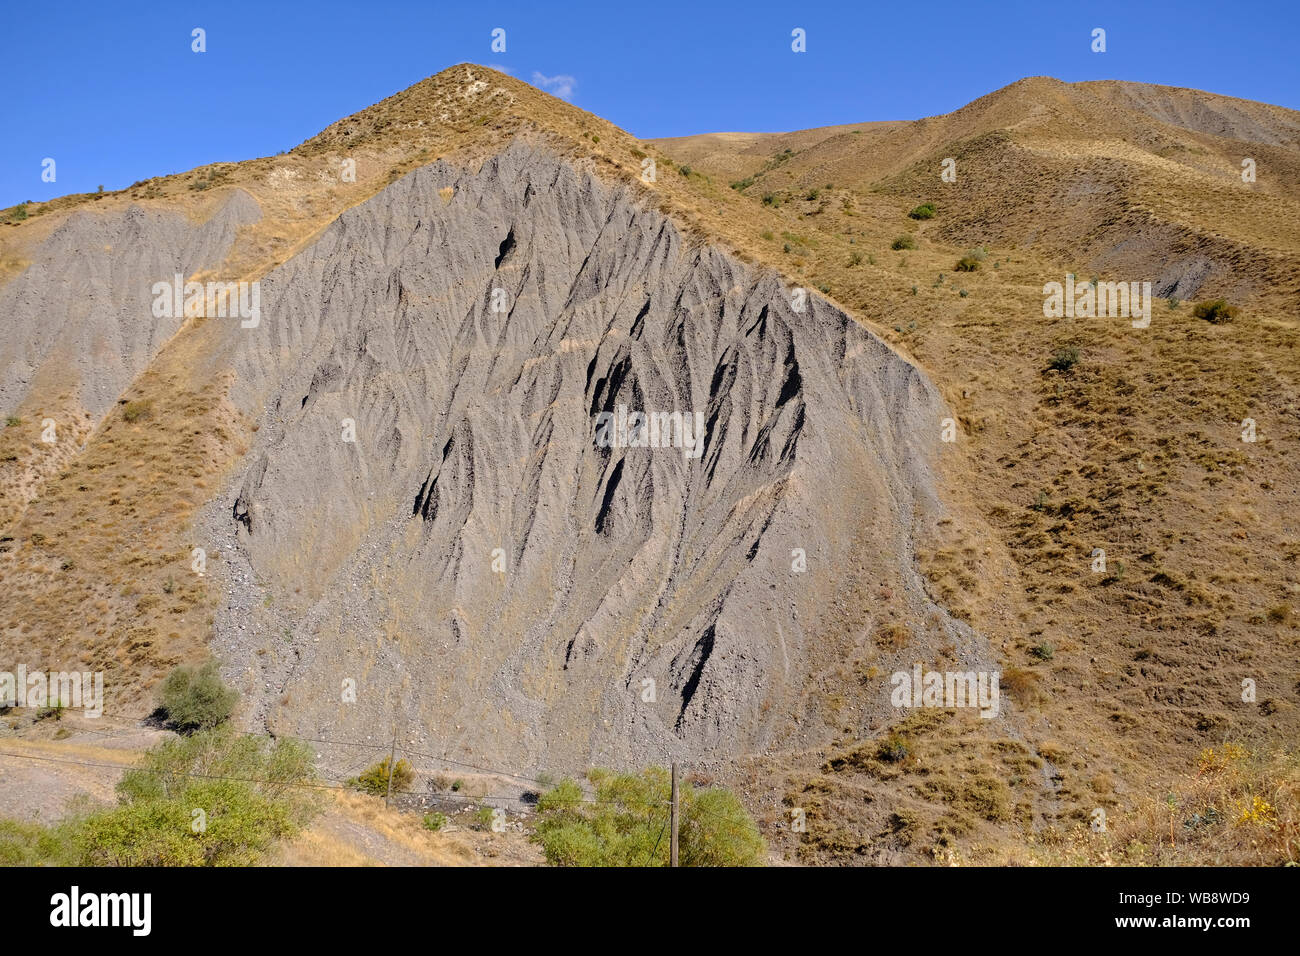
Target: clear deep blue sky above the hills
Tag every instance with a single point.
(112, 92)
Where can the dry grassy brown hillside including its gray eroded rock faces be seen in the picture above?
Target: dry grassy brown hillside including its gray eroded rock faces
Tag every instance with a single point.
(375, 561)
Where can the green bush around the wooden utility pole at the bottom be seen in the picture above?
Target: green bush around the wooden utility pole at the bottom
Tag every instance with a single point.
(627, 825)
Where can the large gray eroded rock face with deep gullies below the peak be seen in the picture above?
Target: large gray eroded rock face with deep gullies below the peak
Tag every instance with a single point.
(487, 573)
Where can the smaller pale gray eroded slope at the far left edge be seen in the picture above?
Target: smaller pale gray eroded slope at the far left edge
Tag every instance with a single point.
(81, 312)
